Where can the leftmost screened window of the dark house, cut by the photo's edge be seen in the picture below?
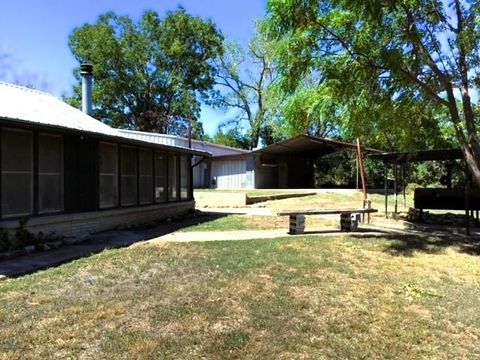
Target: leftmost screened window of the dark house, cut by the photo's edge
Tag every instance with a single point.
(17, 172)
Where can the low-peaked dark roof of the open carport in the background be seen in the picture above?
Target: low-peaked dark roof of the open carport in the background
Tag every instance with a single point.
(307, 145)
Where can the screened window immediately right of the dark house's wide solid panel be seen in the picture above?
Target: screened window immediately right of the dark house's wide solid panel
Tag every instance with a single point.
(108, 172)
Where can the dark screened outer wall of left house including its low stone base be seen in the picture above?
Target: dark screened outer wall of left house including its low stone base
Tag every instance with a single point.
(81, 212)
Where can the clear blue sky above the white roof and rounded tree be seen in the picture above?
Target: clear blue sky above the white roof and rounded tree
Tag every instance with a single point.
(34, 34)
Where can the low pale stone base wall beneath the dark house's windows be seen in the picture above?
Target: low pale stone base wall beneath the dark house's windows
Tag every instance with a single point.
(81, 225)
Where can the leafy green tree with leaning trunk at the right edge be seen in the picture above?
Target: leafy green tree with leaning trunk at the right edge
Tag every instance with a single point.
(405, 64)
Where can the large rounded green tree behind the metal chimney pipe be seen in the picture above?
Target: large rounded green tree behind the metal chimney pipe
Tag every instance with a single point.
(148, 74)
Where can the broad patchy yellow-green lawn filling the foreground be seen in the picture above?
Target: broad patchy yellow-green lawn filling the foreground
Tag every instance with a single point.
(291, 298)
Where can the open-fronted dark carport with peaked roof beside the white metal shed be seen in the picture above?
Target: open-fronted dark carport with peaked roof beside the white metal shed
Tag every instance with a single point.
(289, 164)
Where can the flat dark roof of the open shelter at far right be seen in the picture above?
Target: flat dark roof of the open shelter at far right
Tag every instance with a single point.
(418, 156)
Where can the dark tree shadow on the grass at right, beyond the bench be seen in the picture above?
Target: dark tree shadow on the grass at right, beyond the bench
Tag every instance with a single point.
(409, 244)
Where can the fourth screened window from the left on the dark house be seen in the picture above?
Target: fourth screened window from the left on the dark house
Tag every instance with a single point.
(128, 175)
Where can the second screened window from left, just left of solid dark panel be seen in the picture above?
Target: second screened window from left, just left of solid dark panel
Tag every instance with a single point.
(50, 173)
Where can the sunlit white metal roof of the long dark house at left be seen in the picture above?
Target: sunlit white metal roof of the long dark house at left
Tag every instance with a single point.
(21, 104)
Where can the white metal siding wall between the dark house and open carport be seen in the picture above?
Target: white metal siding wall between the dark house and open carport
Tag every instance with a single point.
(230, 174)
